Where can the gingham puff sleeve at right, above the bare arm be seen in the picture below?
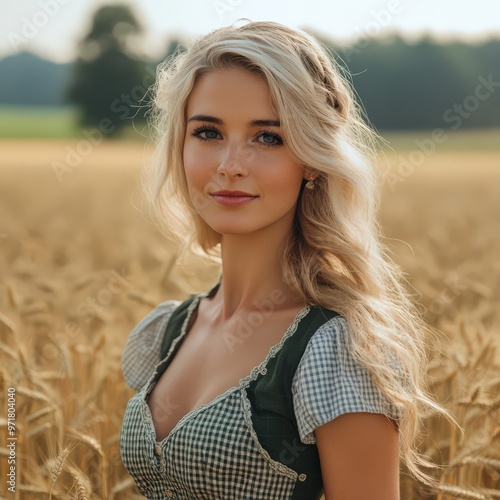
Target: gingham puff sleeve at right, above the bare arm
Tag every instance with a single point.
(328, 382)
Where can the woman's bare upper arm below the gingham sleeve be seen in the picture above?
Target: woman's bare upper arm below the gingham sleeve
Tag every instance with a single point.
(359, 455)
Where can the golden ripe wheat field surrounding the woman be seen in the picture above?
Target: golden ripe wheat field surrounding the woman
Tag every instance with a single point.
(82, 263)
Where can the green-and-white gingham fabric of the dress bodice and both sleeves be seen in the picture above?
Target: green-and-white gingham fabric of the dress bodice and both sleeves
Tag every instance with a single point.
(214, 452)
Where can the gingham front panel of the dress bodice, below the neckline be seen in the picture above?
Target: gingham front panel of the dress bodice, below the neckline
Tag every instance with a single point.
(214, 453)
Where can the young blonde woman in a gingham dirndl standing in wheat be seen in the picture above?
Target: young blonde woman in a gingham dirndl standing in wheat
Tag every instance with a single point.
(300, 373)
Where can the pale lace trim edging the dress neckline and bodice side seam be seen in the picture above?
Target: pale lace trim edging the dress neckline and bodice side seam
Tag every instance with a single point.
(243, 383)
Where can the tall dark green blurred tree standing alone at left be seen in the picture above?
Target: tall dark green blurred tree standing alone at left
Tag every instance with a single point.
(109, 78)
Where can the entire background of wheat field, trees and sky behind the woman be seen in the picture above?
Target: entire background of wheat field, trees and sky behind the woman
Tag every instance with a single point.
(82, 261)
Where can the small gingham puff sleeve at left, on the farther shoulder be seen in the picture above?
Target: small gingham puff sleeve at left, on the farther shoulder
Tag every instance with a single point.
(142, 350)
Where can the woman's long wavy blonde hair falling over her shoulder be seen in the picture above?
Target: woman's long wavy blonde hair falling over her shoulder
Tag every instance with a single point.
(334, 257)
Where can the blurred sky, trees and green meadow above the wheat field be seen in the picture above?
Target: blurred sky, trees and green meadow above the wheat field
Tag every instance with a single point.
(415, 66)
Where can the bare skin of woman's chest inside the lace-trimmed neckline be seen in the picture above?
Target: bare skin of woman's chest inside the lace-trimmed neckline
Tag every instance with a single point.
(207, 363)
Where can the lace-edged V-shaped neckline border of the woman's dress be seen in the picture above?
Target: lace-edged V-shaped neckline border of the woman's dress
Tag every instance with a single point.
(244, 382)
